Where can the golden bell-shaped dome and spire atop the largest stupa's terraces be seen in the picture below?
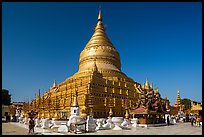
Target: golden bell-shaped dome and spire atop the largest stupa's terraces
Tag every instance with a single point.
(99, 50)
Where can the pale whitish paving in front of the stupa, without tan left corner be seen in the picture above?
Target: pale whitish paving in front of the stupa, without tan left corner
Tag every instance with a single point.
(177, 129)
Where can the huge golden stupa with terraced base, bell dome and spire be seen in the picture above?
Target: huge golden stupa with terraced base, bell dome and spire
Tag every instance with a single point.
(100, 84)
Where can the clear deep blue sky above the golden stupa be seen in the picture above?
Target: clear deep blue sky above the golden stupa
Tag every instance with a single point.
(162, 42)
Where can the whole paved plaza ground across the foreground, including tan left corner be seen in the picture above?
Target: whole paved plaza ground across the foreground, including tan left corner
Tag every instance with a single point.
(13, 128)
